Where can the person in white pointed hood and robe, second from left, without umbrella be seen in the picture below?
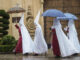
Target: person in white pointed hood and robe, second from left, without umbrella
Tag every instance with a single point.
(40, 45)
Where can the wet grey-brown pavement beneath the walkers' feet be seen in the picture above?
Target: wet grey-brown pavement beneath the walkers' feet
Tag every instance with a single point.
(30, 57)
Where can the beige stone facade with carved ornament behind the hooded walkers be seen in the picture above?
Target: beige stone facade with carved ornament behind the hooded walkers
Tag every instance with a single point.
(31, 6)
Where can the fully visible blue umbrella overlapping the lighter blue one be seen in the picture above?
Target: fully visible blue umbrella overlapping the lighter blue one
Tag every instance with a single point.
(53, 13)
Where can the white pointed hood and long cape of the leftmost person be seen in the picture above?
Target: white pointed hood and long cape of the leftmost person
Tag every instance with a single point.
(27, 43)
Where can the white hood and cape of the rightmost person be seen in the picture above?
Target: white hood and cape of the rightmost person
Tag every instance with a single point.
(72, 34)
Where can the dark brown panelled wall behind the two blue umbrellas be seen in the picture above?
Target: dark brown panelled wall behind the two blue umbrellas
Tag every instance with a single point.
(71, 6)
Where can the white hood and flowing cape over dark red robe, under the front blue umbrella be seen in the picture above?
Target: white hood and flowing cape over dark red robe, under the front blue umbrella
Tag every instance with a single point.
(66, 47)
